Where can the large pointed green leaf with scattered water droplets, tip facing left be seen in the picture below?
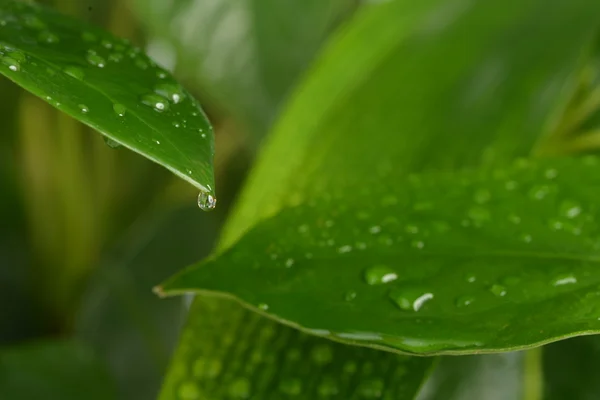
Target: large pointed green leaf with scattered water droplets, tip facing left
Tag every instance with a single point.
(457, 264)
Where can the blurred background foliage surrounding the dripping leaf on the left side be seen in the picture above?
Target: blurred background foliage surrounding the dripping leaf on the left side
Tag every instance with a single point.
(87, 230)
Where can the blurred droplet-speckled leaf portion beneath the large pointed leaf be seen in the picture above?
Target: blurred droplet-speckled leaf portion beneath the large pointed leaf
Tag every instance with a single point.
(242, 355)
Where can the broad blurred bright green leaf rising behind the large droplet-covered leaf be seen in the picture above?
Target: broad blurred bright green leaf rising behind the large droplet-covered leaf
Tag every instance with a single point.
(437, 85)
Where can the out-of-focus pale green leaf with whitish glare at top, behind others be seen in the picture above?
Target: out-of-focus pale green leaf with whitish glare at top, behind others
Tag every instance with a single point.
(246, 54)
